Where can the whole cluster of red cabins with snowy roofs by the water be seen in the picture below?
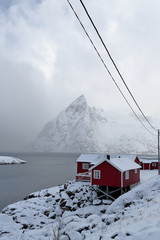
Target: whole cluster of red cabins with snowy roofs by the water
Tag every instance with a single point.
(112, 172)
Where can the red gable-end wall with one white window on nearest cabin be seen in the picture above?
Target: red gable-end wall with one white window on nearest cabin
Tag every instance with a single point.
(110, 176)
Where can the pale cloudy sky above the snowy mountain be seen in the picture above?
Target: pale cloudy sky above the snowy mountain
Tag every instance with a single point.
(46, 61)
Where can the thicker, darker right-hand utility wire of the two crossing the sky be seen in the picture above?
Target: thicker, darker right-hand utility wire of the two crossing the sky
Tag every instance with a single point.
(116, 65)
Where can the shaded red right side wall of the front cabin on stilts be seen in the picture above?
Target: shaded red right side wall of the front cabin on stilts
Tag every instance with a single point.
(133, 178)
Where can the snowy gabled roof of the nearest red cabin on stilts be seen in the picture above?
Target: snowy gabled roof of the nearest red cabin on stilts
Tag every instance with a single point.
(121, 164)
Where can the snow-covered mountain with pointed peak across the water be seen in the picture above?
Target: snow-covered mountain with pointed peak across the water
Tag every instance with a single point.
(81, 128)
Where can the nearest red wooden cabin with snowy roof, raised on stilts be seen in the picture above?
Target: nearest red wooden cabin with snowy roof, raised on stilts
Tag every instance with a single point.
(115, 172)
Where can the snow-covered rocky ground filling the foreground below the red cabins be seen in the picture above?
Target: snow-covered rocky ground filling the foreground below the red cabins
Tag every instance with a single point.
(71, 212)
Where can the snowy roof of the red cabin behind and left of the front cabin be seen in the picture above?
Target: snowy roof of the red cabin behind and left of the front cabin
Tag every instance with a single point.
(91, 158)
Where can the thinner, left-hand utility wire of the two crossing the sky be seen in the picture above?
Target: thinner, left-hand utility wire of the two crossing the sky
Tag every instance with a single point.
(107, 67)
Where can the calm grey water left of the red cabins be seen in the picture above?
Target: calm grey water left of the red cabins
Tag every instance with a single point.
(43, 170)
